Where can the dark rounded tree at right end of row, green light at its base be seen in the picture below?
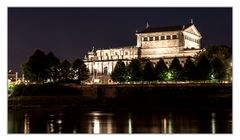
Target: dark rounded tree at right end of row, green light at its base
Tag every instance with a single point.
(218, 69)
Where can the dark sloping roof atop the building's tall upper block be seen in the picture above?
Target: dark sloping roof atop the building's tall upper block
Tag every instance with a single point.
(164, 29)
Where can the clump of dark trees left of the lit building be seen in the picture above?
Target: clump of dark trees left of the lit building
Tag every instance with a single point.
(42, 68)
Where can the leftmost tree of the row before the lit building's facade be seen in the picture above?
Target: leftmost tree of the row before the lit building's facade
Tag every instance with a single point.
(119, 72)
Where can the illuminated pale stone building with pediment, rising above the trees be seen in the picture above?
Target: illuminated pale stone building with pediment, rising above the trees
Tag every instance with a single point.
(153, 43)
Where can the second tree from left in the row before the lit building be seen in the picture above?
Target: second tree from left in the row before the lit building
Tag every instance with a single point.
(135, 70)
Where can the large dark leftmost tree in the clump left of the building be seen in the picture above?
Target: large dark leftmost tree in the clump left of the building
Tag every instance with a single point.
(35, 69)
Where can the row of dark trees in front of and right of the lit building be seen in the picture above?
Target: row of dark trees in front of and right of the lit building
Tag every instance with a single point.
(213, 65)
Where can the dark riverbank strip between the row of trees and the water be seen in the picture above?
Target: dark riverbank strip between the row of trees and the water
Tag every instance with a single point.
(139, 96)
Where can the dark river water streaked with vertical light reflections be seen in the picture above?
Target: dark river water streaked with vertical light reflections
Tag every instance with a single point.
(76, 121)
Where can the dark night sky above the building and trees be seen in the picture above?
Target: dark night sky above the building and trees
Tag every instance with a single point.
(70, 32)
